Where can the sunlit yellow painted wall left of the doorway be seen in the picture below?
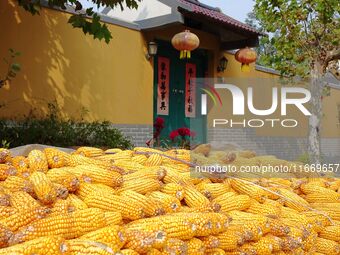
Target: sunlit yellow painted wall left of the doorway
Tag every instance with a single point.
(114, 82)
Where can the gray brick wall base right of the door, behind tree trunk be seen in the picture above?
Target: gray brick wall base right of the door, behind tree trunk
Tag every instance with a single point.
(289, 148)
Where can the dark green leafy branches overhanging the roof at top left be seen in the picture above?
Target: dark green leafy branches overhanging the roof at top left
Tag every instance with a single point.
(81, 17)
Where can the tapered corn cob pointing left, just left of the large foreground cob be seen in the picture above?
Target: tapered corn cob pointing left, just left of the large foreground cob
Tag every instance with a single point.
(112, 235)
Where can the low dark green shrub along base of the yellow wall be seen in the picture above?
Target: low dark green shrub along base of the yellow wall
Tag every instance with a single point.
(53, 130)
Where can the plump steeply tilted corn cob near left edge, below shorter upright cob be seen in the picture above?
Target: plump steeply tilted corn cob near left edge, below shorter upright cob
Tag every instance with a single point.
(43, 188)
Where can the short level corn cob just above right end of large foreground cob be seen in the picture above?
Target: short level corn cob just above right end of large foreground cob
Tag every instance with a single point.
(238, 202)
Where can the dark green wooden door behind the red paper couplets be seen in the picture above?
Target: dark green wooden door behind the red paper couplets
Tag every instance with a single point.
(177, 79)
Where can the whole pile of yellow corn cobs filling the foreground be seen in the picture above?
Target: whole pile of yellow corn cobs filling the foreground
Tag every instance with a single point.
(144, 201)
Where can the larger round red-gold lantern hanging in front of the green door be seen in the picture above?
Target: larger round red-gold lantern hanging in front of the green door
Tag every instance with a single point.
(185, 42)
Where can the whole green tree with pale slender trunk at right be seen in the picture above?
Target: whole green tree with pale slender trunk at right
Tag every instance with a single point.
(306, 43)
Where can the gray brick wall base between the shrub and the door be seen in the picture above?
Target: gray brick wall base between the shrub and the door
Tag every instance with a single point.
(139, 134)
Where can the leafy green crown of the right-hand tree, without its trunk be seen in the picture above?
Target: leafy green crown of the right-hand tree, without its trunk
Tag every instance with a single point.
(304, 32)
